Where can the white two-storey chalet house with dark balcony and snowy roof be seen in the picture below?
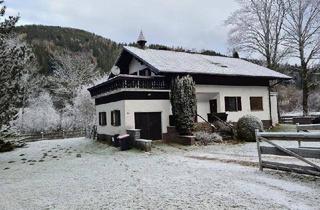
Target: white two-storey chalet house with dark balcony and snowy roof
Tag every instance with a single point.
(136, 94)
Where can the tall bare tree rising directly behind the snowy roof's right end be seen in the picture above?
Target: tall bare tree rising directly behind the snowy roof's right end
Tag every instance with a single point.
(257, 28)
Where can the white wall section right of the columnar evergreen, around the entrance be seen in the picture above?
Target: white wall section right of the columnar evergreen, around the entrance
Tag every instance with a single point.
(245, 92)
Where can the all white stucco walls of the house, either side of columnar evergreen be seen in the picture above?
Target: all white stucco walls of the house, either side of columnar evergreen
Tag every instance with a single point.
(204, 93)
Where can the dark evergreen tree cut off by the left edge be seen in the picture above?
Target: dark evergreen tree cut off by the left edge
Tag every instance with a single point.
(14, 55)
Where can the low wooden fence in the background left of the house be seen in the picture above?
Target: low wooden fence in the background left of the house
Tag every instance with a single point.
(52, 135)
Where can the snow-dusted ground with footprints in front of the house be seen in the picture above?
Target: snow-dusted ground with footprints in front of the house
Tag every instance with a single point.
(223, 176)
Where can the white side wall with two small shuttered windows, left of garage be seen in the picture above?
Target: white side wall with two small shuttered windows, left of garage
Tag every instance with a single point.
(109, 129)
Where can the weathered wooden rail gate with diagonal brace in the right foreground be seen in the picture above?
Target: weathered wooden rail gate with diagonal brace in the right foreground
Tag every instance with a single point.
(300, 153)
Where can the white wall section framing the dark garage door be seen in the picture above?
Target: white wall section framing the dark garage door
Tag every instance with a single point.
(132, 106)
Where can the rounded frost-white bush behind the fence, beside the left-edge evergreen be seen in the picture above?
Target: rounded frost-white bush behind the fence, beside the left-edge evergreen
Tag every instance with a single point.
(39, 116)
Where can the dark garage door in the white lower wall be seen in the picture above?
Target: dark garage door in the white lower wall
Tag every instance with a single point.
(150, 124)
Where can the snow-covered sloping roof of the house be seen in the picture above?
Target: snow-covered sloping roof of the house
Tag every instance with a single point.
(180, 62)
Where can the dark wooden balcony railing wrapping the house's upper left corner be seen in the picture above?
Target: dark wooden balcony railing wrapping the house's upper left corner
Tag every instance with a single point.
(130, 82)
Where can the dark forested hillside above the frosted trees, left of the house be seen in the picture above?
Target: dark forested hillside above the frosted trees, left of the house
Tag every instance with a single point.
(47, 39)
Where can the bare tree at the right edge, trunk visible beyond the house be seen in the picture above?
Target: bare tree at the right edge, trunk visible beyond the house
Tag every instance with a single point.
(302, 29)
